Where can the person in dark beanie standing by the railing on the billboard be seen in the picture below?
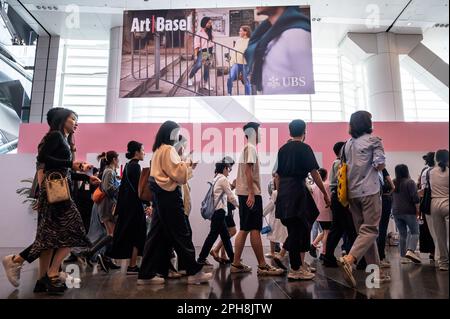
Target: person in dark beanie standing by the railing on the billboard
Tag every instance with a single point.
(203, 50)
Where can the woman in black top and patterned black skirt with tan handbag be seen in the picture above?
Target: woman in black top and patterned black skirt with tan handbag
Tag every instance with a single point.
(60, 226)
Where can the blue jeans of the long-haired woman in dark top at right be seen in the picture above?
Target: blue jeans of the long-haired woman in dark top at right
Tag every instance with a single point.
(408, 228)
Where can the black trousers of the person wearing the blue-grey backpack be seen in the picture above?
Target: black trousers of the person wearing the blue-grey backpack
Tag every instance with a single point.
(218, 228)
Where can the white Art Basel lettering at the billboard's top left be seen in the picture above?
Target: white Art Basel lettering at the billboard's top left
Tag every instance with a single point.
(159, 24)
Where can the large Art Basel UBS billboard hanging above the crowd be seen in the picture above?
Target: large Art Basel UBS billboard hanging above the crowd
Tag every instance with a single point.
(217, 52)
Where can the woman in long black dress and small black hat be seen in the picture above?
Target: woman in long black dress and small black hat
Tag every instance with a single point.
(131, 227)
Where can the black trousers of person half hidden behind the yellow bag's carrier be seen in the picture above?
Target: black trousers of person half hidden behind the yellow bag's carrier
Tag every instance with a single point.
(342, 224)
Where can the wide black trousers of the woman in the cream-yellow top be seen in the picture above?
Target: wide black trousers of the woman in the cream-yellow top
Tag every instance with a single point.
(168, 229)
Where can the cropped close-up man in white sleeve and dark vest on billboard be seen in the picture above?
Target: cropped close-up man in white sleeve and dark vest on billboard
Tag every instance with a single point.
(279, 52)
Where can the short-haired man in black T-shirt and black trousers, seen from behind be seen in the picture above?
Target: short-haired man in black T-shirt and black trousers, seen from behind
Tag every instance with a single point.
(295, 206)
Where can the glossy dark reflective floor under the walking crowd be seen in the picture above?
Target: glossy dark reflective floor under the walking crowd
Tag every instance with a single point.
(408, 281)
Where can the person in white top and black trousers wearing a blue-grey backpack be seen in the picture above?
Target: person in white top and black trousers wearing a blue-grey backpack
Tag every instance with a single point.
(222, 195)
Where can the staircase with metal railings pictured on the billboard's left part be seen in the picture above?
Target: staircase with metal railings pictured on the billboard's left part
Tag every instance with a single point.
(160, 67)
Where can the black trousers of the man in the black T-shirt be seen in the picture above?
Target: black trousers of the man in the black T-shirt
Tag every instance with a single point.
(298, 240)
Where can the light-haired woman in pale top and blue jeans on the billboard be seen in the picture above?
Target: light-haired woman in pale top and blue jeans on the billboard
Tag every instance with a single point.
(238, 63)
